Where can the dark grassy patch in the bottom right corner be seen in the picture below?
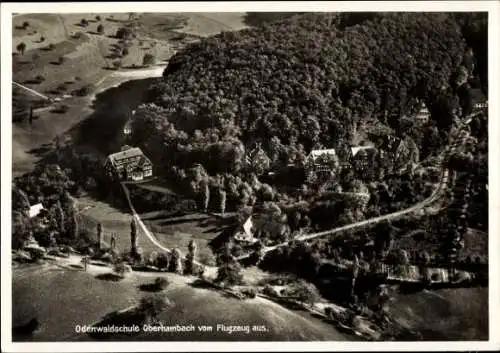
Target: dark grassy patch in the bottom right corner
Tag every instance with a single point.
(447, 314)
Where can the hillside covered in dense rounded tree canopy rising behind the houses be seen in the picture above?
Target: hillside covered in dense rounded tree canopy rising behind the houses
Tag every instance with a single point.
(309, 81)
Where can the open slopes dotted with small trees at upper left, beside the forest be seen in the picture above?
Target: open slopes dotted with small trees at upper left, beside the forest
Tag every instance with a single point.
(84, 64)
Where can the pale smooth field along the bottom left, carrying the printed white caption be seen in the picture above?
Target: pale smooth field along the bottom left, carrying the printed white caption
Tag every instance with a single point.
(62, 299)
